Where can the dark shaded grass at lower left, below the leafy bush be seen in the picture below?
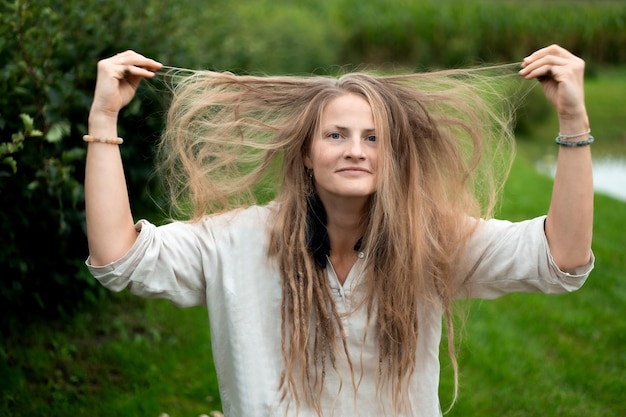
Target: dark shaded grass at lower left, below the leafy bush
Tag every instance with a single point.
(127, 357)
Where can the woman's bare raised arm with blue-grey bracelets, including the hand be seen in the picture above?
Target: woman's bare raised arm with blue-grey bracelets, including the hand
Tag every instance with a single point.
(569, 224)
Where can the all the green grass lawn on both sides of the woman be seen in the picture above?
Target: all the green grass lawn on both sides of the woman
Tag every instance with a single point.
(521, 355)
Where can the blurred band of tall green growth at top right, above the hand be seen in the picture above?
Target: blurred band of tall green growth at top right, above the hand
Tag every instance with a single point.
(445, 33)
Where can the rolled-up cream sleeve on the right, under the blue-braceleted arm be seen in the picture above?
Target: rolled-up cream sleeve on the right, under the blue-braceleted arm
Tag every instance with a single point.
(504, 257)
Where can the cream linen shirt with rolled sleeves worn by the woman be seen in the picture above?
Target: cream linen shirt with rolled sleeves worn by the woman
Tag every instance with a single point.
(222, 262)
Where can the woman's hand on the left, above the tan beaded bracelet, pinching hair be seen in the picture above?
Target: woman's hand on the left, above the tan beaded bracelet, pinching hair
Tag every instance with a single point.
(117, 81)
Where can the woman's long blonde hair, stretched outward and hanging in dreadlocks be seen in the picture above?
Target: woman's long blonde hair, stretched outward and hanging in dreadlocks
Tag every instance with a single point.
(445, 148)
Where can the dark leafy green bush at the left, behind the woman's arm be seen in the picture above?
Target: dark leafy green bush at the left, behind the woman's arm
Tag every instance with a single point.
(48, 56)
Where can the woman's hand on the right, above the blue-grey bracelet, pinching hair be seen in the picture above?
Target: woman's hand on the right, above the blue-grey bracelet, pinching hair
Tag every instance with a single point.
(561, 75)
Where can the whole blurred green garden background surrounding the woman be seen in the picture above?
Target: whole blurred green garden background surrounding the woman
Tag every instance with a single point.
(68, 347)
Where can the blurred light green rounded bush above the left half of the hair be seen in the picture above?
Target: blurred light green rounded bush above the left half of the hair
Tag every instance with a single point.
(252, 37)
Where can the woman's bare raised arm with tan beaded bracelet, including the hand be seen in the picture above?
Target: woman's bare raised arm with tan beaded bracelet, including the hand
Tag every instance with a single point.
(110, 225)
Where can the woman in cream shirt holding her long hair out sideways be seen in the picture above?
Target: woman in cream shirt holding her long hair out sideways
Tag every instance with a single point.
(328, 300)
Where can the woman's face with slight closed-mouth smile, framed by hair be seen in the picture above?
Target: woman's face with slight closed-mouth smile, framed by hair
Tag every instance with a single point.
(344, 151)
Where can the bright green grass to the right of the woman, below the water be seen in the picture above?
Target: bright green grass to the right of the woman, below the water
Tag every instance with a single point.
(536, 354)
